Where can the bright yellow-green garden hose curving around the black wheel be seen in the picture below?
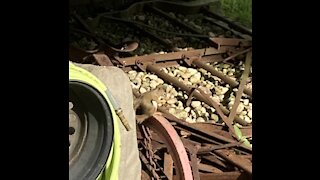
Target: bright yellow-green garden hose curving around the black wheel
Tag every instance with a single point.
(112, 166)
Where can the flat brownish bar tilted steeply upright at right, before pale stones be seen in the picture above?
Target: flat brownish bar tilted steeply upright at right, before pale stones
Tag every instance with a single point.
(241, 87)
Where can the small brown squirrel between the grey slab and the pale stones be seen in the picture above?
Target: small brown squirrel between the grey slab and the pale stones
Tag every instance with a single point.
(144, 106)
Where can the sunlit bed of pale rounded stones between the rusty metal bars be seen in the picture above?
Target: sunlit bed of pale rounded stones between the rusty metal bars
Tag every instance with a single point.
(198, 111)
